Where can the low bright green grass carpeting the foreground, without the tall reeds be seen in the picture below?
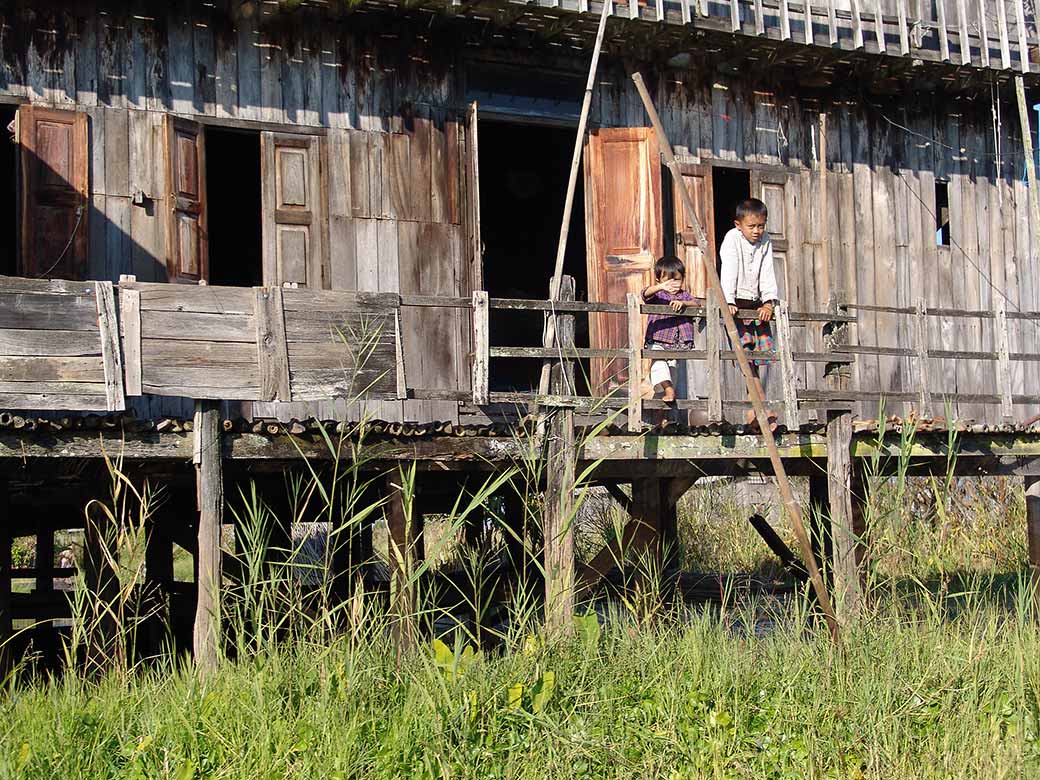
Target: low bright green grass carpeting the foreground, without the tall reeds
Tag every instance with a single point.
(912, 695)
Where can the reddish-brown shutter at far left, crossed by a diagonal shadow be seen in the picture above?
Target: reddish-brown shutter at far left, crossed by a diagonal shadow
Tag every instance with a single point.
(56, 157)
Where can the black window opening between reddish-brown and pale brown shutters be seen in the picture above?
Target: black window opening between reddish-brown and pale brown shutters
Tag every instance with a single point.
(233, 204)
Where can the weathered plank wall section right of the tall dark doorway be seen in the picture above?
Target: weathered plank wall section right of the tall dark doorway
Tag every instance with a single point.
(883, 164)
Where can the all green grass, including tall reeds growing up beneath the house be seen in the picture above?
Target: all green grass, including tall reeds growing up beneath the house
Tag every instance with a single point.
(940, 679)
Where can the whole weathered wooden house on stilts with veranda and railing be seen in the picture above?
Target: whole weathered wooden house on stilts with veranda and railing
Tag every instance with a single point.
(296, 211)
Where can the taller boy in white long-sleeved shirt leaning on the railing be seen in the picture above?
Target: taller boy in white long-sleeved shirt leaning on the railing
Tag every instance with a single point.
(749, 282)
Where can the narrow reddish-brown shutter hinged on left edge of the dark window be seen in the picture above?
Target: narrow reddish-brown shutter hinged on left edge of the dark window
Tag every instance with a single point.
(188, 241)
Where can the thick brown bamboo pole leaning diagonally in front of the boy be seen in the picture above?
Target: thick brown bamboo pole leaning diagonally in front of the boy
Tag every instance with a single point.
(794, 512)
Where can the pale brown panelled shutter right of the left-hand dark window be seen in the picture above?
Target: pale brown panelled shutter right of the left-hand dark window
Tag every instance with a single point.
(294, 242)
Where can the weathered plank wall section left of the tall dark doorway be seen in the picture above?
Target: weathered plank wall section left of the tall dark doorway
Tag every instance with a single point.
(384, 106)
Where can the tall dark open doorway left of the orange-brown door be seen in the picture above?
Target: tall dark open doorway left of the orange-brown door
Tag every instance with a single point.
(524, 185)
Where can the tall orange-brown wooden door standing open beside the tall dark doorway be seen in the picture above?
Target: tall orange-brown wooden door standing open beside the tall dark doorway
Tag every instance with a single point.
(623, 233)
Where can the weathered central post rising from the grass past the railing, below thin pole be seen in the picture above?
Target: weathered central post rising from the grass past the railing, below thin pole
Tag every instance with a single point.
(561, 464)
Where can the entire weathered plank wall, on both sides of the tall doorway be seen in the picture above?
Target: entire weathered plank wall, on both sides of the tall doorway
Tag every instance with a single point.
(388, 109)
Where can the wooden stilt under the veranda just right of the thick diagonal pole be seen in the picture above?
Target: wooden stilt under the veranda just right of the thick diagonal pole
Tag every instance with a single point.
(846, 500)
